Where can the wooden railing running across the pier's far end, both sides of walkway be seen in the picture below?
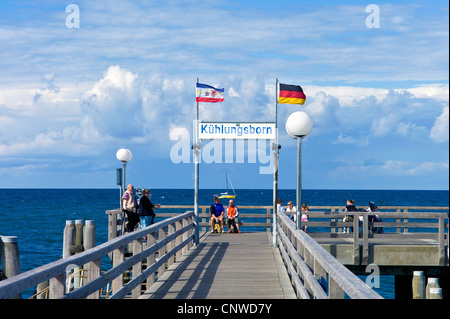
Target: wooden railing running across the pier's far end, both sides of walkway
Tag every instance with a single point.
(398, 222)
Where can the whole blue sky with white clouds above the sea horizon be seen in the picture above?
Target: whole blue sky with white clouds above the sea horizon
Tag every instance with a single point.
(80, 80)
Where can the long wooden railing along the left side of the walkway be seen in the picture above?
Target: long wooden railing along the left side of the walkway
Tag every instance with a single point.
(167, 240)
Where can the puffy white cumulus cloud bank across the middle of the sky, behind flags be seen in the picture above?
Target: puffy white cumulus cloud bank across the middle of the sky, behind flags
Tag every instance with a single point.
(146, 111)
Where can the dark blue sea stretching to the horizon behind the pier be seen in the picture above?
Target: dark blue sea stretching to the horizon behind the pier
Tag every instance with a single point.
(38, 216)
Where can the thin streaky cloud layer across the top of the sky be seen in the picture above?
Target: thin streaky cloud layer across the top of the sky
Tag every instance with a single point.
(328, 42)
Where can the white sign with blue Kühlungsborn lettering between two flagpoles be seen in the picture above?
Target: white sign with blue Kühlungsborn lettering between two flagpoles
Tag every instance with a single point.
(236, 131)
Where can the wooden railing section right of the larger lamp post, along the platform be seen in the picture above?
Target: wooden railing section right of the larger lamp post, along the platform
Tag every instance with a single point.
(394, 223)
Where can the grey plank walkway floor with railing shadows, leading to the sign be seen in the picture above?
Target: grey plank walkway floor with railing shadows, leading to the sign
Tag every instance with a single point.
(239, 266)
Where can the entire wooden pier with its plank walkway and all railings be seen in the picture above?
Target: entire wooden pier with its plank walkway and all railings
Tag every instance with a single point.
(160, 261)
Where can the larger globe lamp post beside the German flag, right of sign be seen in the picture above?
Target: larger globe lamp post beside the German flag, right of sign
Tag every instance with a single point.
(299, 125)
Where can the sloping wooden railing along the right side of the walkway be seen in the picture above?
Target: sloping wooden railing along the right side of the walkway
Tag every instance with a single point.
(315, 273)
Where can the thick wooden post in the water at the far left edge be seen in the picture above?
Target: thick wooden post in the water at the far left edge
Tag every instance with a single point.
(9, 252)
